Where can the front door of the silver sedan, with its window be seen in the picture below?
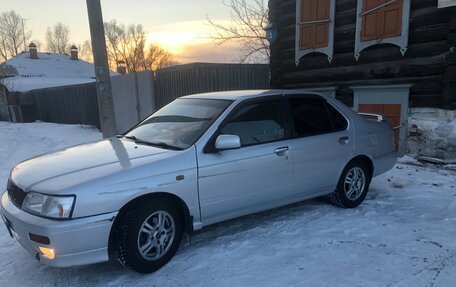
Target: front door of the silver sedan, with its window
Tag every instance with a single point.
(256, 175)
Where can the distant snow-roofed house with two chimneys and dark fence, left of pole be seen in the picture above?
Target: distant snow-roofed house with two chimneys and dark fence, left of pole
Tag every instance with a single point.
(49, 87)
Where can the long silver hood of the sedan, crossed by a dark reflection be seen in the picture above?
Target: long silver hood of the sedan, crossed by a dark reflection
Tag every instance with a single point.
(60, 170)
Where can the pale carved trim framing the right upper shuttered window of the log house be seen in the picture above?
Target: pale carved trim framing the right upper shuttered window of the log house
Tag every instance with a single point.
(400, 41)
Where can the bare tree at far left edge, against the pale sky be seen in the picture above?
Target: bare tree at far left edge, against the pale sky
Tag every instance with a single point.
(13, 34)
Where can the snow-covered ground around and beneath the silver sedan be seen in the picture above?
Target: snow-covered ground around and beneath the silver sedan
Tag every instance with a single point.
(404, 234)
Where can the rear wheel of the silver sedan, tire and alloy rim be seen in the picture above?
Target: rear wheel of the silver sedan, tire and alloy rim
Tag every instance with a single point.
(352, 186)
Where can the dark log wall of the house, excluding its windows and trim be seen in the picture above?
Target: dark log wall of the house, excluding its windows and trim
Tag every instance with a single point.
(428, 64)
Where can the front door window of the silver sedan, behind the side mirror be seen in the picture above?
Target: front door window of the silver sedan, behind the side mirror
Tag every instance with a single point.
(257, 123)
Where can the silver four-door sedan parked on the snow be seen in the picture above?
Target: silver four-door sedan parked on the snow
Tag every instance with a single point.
(200, 160)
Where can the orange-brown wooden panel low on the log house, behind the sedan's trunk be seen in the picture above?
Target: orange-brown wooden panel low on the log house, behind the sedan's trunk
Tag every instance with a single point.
(392, 113)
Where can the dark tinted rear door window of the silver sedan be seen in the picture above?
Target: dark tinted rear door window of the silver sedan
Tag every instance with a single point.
(310, 116)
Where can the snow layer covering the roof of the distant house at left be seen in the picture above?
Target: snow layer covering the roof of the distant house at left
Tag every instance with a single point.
(48, 71)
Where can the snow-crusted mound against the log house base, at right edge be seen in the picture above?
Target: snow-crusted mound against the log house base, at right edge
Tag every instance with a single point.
(432, 135)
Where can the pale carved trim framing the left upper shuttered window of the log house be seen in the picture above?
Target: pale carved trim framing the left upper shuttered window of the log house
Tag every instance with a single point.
(328, 50)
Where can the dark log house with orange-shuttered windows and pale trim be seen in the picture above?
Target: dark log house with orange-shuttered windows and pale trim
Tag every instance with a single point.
(383, 56)
